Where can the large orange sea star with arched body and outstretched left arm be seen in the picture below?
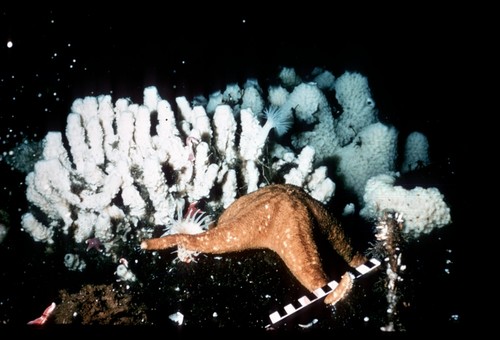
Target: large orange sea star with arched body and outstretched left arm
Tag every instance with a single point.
(279, 217)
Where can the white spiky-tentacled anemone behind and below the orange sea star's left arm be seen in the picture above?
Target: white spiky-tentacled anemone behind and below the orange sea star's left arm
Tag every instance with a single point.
(194, 222)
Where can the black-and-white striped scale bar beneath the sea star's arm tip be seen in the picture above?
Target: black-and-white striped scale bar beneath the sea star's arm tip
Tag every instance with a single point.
(319, 293)
